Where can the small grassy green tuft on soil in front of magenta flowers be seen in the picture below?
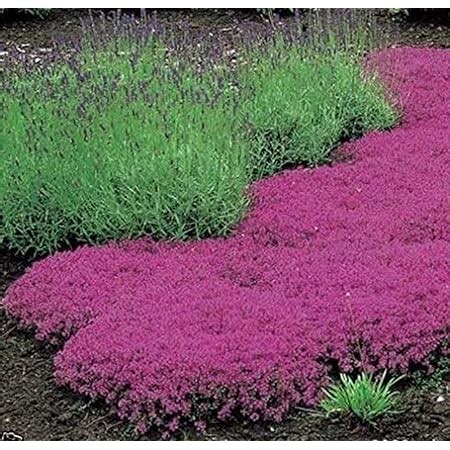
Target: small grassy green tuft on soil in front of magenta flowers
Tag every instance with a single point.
(364, 397)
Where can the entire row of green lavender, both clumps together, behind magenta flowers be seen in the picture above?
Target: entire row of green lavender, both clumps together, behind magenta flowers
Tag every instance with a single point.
(130, 138)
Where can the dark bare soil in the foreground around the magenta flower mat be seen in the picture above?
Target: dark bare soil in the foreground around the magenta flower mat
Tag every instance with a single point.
(34, 407)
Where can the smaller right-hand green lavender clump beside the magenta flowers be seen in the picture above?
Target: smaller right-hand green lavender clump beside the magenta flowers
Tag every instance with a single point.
(304, 103)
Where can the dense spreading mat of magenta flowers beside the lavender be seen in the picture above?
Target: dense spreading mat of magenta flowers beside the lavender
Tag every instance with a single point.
(345, 265)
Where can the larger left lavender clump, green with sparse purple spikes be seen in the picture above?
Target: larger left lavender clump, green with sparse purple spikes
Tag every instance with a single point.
(117, 149)
